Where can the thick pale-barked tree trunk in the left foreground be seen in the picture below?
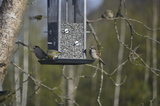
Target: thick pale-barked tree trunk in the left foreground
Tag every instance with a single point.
(11, 13)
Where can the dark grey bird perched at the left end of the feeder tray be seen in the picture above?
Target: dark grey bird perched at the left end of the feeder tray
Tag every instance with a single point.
(40, 54)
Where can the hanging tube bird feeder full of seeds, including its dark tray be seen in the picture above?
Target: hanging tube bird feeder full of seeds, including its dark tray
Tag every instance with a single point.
(67, 32)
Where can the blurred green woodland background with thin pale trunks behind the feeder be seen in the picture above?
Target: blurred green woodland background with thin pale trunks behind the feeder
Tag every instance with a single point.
(133, 60)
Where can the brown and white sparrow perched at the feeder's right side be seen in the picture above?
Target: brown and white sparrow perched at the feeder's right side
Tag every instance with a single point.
(95, 54)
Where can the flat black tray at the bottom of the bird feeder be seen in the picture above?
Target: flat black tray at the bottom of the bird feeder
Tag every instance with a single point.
(66, 61)
